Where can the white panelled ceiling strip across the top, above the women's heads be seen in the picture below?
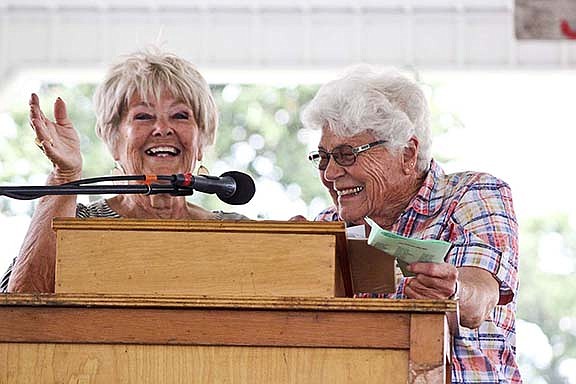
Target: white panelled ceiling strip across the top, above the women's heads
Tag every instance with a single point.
(273, 34)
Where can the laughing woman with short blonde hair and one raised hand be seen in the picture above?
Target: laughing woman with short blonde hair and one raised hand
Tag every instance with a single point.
(156, 114)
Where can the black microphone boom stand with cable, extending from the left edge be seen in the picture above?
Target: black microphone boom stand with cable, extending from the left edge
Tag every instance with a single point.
(78, 187)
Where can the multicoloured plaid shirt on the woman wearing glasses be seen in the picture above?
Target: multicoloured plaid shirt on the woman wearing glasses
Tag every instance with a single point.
(474, 212)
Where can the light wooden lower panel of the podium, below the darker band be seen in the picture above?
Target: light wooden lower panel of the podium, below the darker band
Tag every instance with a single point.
(95, 364)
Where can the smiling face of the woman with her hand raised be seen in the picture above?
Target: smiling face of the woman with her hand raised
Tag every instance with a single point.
(158, 137)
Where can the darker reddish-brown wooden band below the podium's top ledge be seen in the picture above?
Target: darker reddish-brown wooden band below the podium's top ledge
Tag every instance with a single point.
(204, 327)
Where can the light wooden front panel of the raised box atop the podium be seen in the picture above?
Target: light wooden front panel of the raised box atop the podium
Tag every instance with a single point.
(199, 263)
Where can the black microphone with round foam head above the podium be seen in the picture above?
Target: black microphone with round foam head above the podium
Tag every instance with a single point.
(231, 187)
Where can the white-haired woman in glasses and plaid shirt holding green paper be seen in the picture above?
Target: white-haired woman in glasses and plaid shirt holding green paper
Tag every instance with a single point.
(374, 157)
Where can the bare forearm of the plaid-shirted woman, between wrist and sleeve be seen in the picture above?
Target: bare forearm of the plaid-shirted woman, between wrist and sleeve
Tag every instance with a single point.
(478, 294)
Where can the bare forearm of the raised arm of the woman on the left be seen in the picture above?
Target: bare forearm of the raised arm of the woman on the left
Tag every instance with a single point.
(35, 265)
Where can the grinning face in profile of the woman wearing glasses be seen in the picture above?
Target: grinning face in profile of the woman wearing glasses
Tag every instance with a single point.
(379, 184)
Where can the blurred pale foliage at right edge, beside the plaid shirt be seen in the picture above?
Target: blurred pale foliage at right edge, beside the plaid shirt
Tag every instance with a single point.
(548, 291)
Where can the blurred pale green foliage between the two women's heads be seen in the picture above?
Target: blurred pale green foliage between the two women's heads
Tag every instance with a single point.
(268, 120)
